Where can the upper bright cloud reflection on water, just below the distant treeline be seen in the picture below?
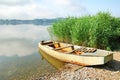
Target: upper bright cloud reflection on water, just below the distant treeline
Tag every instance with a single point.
(31, 32)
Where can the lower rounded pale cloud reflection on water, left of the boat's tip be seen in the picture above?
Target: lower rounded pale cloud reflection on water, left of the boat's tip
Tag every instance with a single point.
(20, 47)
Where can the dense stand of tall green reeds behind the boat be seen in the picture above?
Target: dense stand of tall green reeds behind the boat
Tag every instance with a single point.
(93, 31)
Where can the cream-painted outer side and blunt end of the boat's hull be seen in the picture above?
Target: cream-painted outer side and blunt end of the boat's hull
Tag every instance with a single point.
(79, 59)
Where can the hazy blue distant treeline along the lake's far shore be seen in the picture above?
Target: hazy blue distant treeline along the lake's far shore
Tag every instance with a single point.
(35, 21)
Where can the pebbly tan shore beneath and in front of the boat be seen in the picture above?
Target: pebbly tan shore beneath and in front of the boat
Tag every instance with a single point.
(109, 71)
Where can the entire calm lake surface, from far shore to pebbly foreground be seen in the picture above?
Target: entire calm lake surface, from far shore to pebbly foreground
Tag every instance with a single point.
(19, 54)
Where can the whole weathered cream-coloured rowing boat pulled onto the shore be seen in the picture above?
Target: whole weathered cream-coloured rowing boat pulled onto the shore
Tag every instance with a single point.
(76, 54)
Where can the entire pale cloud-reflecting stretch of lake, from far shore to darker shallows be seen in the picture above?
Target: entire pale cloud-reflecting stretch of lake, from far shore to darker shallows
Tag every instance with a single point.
(21, 40)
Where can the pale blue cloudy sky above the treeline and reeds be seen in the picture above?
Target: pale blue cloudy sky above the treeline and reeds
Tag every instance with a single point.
(32, 9)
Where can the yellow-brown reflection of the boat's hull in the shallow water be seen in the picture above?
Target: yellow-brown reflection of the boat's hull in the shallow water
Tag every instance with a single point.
(56, 63)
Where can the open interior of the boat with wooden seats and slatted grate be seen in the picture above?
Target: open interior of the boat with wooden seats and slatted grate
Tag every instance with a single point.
(68, 48)
